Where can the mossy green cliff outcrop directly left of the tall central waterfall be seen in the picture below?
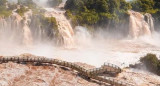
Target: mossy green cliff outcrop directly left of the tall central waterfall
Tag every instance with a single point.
(47, 24)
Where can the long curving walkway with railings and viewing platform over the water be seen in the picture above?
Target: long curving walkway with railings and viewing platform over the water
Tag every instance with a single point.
(91, 73)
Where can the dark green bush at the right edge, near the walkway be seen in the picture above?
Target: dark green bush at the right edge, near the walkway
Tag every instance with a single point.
(152, 63)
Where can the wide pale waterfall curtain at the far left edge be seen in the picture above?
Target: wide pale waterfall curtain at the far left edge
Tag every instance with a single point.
(16, 29)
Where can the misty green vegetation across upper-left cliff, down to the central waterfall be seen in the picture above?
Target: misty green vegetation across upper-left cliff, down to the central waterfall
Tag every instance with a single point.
(47, 24)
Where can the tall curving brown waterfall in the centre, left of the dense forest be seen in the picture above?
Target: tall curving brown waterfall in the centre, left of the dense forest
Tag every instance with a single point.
(64, 27)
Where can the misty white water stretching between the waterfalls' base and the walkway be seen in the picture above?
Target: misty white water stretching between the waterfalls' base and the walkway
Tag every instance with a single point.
(94, 51)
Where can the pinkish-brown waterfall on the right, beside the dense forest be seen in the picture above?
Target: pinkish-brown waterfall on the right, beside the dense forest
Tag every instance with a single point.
(138, 25)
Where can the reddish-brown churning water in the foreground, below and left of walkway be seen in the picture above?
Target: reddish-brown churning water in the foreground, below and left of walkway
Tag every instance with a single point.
(13, 74)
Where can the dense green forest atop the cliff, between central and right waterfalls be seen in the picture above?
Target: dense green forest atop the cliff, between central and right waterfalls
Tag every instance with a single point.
(108, 13)
